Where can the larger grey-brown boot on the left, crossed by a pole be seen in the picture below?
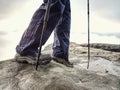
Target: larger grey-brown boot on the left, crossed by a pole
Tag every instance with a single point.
(44, 59)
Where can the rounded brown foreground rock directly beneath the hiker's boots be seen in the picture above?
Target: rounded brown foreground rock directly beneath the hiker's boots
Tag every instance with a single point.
(16, 76)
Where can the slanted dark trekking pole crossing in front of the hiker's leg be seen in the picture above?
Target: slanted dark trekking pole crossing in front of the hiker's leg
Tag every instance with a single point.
(46, 17)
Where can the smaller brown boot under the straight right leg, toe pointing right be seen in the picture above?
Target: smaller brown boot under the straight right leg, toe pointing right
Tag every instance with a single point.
(62, 61)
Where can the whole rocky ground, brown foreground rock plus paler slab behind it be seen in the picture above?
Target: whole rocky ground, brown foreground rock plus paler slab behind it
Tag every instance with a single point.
(54, 76)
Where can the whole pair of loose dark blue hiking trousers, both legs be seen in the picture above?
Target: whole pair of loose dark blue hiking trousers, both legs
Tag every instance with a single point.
(59, 21)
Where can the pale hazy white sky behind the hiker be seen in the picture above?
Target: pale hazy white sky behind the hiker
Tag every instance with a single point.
(15, 16)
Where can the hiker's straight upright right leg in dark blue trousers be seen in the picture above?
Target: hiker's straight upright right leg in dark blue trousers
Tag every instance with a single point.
(62, 34)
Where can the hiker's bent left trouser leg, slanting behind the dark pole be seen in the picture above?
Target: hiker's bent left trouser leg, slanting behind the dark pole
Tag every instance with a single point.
(30, 40)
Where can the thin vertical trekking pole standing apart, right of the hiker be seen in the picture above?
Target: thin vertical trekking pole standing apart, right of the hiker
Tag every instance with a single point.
(88, 12)
